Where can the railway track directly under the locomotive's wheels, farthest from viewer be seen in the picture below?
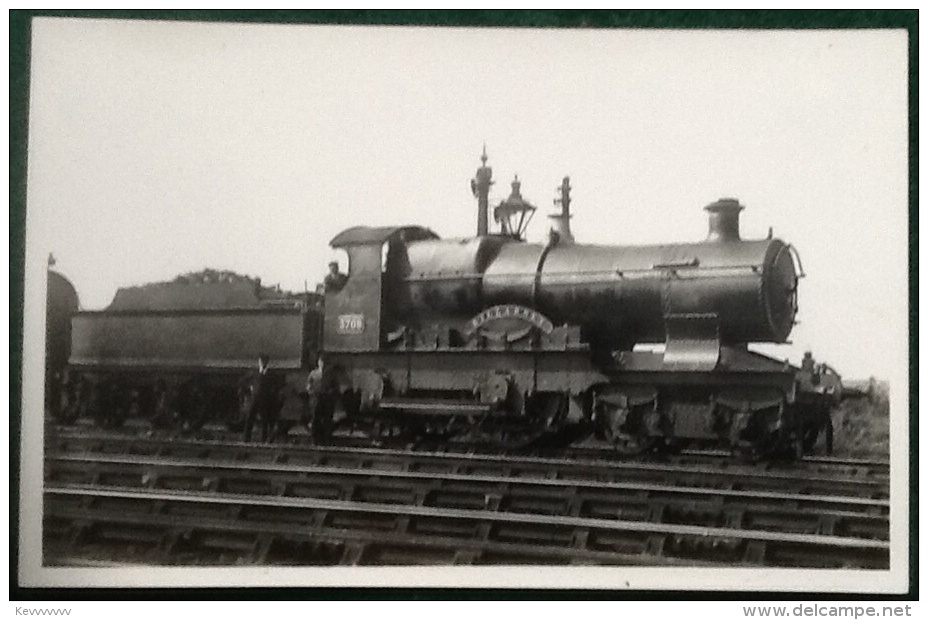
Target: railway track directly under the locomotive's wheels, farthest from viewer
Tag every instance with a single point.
(707, 471)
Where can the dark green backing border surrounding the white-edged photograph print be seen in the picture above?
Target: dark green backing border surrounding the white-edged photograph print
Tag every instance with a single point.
(20, 41)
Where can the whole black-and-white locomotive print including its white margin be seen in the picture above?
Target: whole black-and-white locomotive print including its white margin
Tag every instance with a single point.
(359, 306)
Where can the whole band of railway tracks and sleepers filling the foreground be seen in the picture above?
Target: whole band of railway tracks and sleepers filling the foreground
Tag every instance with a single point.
(287, 504)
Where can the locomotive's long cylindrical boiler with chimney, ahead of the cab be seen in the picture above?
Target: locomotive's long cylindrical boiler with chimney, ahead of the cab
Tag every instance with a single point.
(724, 288)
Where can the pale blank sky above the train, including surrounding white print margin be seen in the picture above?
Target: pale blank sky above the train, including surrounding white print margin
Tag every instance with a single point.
(158, 148)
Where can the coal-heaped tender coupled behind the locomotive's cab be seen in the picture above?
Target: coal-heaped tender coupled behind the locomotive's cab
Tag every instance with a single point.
(175, 353)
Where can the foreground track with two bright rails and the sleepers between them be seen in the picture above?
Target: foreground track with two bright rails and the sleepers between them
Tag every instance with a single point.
(847, 517)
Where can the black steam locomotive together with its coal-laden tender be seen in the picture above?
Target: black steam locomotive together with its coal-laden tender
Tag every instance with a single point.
(488, 338)
